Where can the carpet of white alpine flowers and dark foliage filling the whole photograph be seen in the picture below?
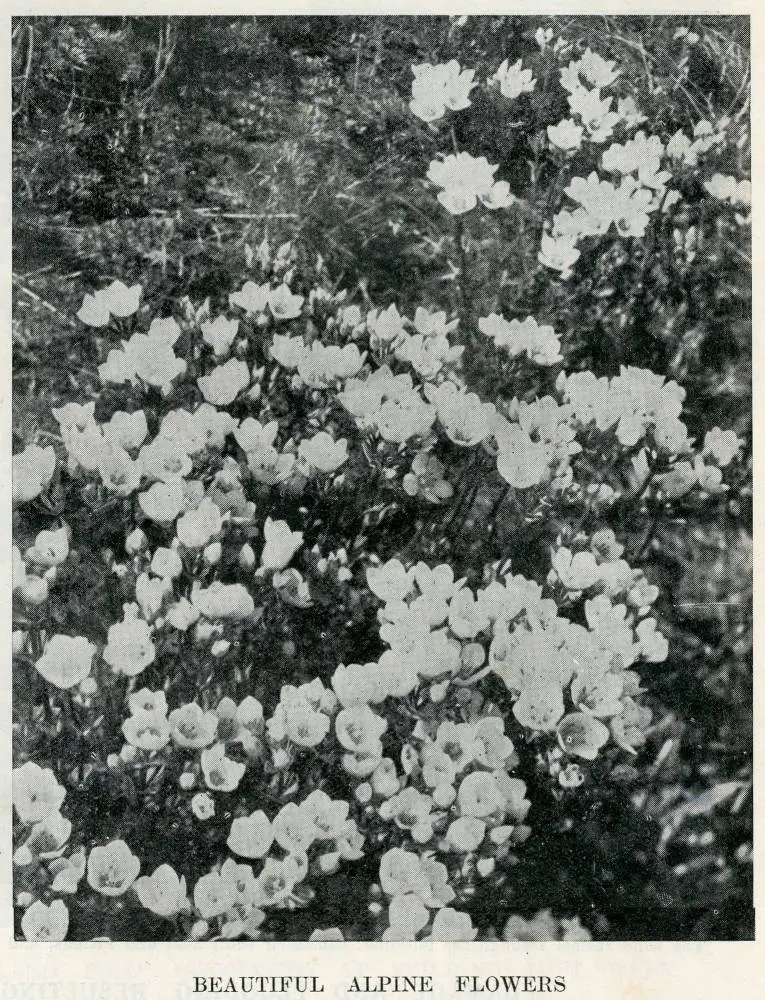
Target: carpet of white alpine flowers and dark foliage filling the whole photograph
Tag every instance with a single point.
(351, 534)
